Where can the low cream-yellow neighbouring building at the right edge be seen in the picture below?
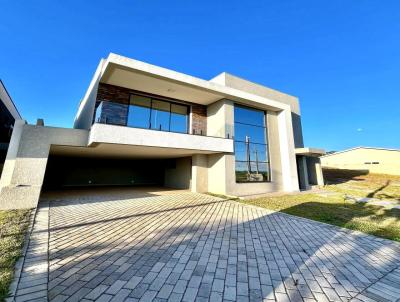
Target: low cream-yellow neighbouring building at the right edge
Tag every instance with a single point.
(373, 160)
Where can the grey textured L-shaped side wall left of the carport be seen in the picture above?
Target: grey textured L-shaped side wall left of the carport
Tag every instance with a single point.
(25, 165)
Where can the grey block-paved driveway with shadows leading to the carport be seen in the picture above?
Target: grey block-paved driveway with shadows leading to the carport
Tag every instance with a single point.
(184, 246)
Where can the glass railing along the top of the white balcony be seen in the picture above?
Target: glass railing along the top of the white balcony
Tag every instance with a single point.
(165, 116)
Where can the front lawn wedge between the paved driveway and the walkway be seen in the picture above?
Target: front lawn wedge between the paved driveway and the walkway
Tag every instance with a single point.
(335, 210)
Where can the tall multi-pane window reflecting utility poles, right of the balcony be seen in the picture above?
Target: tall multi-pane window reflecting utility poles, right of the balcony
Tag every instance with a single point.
(251, 145)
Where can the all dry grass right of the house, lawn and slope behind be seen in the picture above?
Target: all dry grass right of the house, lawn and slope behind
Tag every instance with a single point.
(338, 210)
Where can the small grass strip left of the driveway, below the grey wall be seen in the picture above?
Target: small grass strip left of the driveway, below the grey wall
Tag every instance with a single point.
(13, 225)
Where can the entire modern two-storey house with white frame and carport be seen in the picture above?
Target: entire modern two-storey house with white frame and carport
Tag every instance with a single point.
(139, 124)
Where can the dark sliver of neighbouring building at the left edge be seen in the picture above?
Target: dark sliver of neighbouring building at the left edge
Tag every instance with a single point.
(8, 115)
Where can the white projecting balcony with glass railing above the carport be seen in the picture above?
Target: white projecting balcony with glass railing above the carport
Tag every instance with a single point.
(113, 124)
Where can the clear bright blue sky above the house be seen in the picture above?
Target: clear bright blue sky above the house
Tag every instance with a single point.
(341, 58)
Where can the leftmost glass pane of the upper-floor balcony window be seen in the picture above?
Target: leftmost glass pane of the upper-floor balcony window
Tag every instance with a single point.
(139, 111)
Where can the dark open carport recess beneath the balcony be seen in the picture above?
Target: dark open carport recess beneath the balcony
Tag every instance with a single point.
(108, 165)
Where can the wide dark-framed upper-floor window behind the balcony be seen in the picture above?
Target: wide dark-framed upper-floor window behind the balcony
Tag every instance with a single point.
(149, 113)
